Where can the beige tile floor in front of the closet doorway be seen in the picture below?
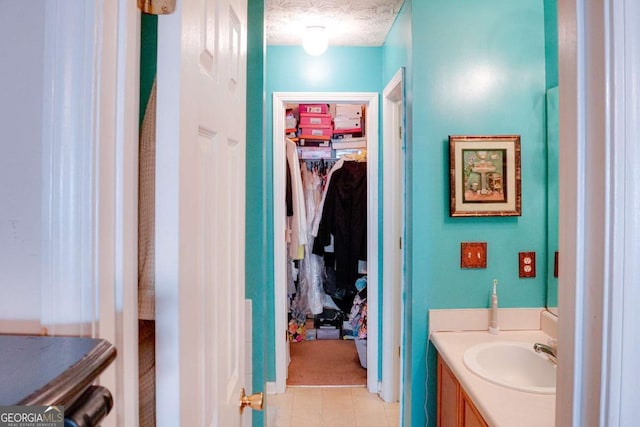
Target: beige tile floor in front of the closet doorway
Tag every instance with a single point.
(330, 407)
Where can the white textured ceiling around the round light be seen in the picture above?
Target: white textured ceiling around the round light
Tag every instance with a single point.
(347, 22)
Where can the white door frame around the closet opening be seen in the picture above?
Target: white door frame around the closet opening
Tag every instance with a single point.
(280, 99)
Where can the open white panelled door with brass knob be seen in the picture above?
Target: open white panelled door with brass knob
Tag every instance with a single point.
(200, 203)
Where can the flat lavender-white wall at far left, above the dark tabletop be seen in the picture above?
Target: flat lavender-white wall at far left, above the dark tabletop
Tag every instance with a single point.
(22, 46)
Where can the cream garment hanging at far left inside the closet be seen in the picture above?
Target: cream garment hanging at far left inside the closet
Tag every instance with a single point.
(296, 224)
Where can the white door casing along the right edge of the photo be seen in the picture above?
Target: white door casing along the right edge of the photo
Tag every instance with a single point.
(599, 273)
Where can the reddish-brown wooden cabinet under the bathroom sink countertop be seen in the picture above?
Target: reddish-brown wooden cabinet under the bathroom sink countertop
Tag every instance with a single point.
(455, 409)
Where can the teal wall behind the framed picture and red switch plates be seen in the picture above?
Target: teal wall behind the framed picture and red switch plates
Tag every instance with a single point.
(478, 68)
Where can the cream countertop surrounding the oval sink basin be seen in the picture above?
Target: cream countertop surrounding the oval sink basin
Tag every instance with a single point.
(500, 406)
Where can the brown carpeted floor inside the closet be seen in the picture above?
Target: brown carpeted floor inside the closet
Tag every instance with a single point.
(325, 363)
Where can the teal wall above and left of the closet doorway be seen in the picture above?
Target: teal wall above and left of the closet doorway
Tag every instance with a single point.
(290, 69)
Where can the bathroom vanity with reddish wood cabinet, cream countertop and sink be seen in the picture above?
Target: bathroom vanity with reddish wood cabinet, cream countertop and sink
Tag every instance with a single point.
(467, 399)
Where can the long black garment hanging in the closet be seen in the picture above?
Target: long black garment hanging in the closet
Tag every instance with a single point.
(344, 216)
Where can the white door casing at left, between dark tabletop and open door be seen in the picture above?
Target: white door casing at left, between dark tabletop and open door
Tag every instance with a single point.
(118, 202)
